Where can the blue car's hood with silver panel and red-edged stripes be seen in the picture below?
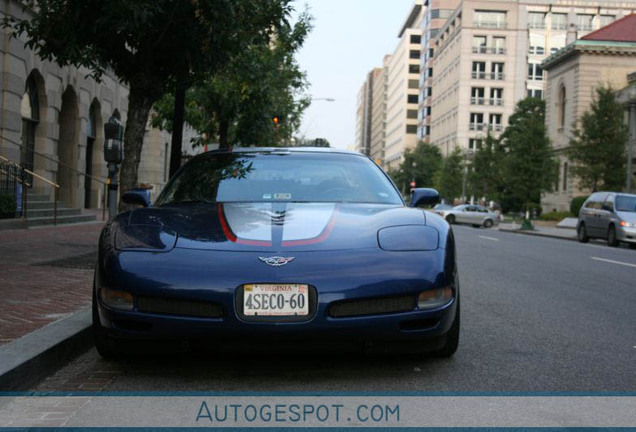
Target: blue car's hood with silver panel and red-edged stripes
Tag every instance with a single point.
(271, 227)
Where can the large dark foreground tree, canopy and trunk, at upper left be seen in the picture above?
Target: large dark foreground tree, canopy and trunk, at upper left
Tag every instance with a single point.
(146, 43)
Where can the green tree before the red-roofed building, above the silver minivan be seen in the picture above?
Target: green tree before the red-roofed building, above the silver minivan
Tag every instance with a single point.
(597, 149)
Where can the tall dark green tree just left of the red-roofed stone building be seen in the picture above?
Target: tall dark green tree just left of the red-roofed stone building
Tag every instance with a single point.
(528, 166)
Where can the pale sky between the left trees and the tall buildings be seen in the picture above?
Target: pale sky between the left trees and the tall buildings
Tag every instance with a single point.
(350, 37)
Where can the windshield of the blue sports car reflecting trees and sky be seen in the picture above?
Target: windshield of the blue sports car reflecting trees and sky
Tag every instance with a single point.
(273, 177)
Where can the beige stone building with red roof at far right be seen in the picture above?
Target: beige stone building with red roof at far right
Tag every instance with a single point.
(604, 57)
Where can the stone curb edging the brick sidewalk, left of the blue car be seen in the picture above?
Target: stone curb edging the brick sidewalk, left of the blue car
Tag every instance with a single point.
(27, 360)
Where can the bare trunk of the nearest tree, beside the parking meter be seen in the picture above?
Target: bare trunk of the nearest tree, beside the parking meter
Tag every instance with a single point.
(140, 102)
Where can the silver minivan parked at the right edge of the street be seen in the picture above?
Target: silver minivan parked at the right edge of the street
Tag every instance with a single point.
(610, 216)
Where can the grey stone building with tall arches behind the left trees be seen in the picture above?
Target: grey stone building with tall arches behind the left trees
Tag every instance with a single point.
(52, 120)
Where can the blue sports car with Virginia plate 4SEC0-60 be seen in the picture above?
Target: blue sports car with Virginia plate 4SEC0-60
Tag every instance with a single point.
(279, 246)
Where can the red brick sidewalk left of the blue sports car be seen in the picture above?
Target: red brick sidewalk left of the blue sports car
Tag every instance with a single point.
(37, 282)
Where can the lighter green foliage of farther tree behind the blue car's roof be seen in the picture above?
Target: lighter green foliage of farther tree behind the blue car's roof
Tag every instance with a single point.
(236, 103)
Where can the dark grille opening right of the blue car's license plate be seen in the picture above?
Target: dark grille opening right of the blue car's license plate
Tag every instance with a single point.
(374, 306)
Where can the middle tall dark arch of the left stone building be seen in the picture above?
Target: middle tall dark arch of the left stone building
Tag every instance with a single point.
(67, 147)
